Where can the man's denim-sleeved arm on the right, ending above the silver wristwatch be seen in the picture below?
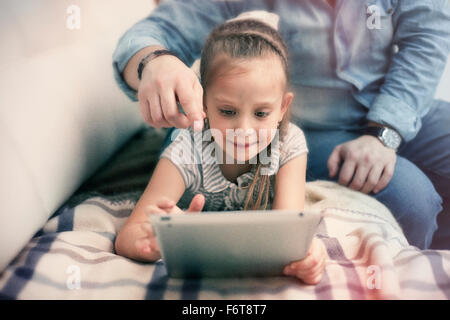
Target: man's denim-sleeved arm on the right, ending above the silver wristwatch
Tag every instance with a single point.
(422, 33)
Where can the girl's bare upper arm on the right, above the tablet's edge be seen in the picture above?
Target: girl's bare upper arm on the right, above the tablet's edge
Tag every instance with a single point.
(290, 185)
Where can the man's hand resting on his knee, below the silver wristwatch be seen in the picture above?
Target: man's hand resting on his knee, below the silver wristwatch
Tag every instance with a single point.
(367, 166)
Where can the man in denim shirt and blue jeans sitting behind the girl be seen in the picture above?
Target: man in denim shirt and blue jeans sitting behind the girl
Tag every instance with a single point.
(364, 73)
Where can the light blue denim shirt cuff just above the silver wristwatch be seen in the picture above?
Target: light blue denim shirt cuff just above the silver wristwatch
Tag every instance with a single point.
(390, 111)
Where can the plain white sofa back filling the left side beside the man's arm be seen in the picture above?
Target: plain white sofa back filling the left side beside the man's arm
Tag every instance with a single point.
(61, 113)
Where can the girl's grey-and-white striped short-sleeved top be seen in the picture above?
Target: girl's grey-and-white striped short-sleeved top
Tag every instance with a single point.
(193, 155)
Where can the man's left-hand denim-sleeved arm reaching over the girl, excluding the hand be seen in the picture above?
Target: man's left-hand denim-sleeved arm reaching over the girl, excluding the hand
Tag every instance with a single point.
(177, 25)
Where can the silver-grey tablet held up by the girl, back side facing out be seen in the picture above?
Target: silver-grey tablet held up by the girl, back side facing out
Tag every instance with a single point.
(233, 243)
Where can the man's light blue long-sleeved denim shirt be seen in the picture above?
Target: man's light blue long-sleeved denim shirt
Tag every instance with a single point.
(383, 59)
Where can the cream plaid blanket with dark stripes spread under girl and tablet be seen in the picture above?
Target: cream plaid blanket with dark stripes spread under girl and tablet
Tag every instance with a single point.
(73, 257)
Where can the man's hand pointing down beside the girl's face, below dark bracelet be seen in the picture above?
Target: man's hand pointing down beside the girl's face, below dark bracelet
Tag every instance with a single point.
(166, 80)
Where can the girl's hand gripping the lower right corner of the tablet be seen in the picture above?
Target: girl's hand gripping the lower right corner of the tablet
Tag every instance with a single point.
(310, 269)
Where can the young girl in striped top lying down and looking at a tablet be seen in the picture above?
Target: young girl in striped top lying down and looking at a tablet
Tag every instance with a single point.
(244, 73)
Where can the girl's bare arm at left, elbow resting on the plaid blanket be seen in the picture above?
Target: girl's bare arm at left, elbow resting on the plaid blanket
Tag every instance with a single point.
(166, 182)
